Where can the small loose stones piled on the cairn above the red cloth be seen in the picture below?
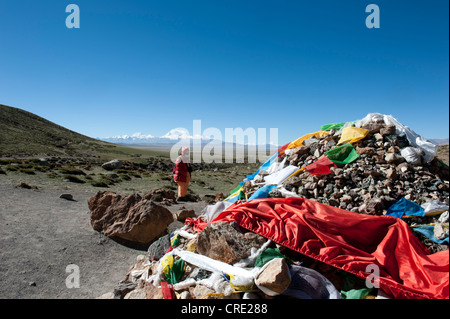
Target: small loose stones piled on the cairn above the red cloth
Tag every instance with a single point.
(375, 180)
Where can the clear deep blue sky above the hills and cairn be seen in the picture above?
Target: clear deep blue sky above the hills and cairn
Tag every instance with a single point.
(151, 66)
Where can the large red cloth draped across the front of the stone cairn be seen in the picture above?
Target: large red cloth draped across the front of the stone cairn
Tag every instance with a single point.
(348, 241)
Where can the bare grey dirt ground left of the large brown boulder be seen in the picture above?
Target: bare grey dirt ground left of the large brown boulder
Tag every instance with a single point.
(41, 234)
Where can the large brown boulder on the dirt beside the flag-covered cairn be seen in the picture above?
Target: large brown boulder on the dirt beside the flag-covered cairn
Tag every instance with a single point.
(130, 217)
